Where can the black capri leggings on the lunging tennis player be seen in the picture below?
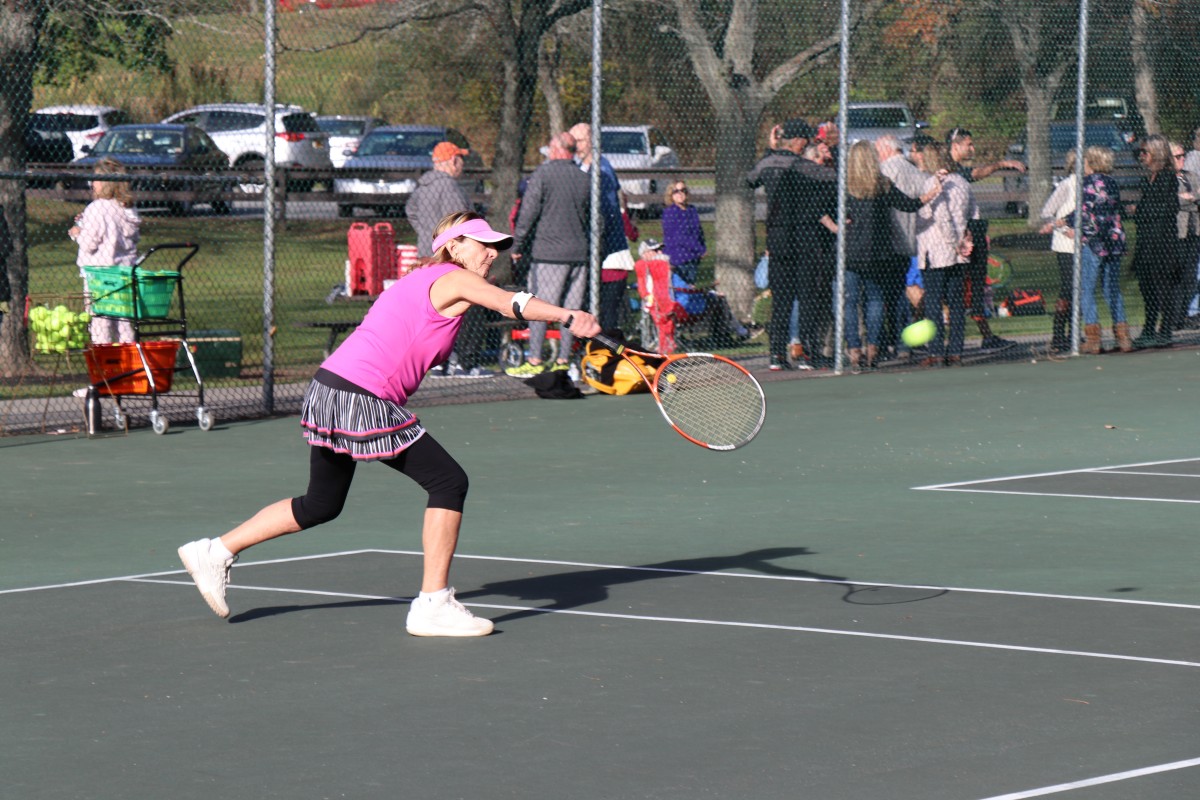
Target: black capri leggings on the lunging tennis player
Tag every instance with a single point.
(331, 476)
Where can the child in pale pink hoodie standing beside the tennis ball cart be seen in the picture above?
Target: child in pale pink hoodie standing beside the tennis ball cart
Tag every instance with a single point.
(107, 233)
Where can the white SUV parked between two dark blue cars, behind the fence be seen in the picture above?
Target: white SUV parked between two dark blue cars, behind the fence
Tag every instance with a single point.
(241, 129)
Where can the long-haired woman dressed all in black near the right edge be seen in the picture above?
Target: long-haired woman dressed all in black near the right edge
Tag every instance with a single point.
(1156, 261)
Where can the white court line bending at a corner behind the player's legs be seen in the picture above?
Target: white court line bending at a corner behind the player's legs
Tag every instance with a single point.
(593, 566)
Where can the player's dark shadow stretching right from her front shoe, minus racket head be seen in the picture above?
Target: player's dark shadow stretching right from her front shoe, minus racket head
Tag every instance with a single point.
(565, 591)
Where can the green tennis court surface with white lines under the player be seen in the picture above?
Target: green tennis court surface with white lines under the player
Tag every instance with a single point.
(961, 585)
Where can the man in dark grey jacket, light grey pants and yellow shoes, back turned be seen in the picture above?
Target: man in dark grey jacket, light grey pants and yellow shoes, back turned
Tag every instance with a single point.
(553, 232)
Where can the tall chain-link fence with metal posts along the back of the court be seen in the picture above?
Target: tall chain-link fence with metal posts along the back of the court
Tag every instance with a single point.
(297, 210)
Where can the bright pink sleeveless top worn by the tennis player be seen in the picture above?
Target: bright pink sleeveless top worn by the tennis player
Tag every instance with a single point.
(400, 340)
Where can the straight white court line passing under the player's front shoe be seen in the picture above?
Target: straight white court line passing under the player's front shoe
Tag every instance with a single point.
(759, 627)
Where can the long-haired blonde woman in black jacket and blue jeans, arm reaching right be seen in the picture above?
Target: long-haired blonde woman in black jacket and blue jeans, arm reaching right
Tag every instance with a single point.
(871, 199)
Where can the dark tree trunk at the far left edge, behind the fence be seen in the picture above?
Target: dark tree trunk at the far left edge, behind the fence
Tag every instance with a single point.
(20, 27)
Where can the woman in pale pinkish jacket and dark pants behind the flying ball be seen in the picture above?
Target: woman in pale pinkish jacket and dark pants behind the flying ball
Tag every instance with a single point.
(944, 249)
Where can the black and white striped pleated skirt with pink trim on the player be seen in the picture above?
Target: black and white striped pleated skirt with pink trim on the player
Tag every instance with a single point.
(362, 426)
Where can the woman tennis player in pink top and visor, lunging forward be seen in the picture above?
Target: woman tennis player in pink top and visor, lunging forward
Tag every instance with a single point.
(355, 411)
